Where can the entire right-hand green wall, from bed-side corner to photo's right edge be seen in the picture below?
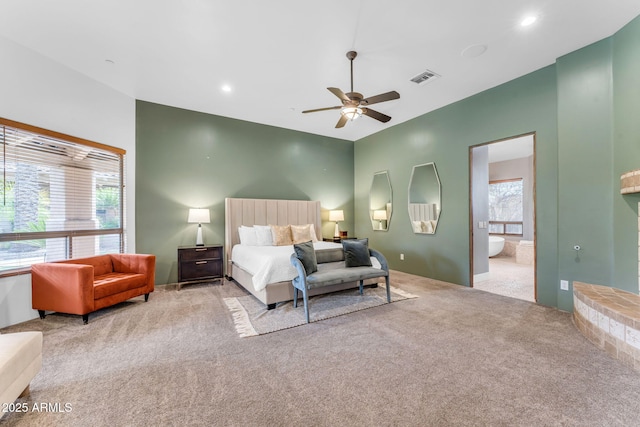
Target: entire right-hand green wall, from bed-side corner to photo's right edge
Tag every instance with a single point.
(584, 111)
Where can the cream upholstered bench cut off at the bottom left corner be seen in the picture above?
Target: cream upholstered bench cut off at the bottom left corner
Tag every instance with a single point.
(20, 361)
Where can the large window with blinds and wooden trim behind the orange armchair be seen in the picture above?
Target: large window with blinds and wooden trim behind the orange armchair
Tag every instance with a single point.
(61, 197)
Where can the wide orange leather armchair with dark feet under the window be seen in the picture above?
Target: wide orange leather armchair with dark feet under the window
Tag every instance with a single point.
(84, 285)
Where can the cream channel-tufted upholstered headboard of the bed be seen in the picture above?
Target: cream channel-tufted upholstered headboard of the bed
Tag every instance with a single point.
(266, 212)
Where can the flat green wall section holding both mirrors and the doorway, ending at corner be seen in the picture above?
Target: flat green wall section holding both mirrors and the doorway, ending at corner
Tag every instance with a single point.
(444, 136)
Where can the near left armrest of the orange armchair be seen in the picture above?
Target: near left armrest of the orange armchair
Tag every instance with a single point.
(62, 287)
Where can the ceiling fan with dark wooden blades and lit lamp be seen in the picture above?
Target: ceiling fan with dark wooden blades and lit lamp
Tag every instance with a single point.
(354, 104)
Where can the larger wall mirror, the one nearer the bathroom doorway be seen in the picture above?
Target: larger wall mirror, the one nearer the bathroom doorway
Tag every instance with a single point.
(424, 198)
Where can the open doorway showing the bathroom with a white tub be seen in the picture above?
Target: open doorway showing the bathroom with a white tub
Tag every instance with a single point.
(502, 217)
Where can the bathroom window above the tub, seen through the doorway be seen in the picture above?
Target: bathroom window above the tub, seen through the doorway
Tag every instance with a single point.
(505, 207)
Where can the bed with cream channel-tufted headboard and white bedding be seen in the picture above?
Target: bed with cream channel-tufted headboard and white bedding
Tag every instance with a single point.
(251, 212)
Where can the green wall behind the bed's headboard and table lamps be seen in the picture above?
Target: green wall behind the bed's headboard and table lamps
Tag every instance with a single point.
(187, 159)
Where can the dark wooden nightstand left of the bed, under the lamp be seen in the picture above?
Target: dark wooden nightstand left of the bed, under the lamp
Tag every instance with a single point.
(199, 264)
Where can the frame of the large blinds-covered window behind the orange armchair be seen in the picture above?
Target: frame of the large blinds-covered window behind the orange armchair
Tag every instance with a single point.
(68, 234)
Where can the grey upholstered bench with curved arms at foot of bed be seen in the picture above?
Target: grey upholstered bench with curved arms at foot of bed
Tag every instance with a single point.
(358, 268)
